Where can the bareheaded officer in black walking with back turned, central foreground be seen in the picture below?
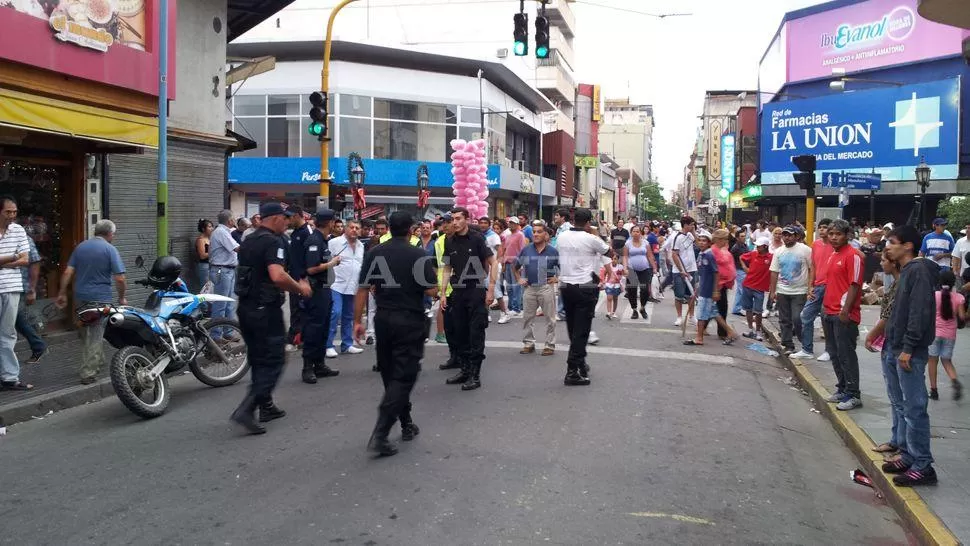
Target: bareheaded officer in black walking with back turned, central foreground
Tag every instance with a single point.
(402, 275)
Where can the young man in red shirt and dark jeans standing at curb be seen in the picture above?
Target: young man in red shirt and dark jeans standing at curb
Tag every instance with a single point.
(841, 314)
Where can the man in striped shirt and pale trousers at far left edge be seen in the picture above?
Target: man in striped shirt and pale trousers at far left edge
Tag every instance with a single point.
(13, 256)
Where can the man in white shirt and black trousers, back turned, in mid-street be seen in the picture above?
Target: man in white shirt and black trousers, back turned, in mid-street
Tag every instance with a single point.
(580, 255)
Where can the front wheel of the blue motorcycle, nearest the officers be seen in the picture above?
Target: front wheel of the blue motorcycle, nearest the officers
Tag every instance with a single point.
(208, 367)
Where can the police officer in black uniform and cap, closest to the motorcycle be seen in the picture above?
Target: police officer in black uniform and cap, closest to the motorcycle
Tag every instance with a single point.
(261, 276)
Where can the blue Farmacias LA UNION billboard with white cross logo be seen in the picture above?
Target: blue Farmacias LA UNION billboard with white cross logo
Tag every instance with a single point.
(886, 130)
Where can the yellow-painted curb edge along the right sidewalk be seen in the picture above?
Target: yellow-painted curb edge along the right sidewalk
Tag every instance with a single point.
(919, 519)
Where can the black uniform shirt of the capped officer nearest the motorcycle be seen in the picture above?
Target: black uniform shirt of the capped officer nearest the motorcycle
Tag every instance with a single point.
(257, 252)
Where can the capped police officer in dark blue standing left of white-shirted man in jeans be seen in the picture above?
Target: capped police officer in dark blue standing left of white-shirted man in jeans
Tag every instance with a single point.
(316, 322)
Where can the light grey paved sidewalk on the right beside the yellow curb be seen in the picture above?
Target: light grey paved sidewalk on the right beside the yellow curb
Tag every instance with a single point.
(949, 420)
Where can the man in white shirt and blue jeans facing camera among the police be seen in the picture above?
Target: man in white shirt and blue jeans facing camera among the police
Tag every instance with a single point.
(350, 250)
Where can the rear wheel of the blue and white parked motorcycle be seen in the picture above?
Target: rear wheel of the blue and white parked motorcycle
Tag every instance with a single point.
(145, 397)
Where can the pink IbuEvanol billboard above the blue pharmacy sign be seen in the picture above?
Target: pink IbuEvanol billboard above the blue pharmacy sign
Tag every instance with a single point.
(863, 36)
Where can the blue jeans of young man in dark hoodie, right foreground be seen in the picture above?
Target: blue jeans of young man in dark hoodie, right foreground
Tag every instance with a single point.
(914, 427)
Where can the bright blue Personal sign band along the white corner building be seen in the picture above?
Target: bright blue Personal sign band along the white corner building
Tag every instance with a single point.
(306, 170)
